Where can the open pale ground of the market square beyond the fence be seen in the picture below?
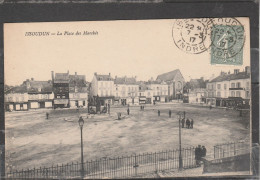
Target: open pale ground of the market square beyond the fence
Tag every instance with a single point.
(31, 140)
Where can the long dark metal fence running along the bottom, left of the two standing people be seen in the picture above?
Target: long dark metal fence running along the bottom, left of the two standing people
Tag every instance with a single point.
(119, 167)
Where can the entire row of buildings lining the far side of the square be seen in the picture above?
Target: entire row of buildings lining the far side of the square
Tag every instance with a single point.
(72, 91)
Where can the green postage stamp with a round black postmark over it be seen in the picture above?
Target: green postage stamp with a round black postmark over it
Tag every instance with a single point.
(227, 41)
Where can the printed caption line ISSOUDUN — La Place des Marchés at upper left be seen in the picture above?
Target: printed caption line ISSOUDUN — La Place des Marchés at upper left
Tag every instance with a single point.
(63, 33)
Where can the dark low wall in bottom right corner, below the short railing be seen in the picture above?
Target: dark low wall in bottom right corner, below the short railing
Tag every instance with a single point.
(227, 164)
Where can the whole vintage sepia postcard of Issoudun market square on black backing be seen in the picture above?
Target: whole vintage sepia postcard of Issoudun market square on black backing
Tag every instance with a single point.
(128, 98)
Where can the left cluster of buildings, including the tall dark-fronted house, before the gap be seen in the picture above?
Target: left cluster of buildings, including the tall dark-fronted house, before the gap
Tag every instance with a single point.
(64, 90)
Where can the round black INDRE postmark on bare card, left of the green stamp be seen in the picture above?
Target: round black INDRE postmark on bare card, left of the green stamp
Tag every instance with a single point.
(192, 35)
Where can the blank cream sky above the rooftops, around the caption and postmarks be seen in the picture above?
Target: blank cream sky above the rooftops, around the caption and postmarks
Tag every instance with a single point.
(142, 48)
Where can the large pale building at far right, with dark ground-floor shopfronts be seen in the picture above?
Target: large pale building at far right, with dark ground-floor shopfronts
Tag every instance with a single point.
(230, 90)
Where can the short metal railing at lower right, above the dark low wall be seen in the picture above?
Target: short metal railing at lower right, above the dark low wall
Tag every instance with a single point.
(231, 149)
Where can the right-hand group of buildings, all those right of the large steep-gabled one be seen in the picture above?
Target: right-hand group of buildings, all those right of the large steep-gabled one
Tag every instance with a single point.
(226, 90)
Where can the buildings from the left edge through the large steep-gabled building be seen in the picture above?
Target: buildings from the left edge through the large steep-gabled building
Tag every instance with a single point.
(71, 91)
